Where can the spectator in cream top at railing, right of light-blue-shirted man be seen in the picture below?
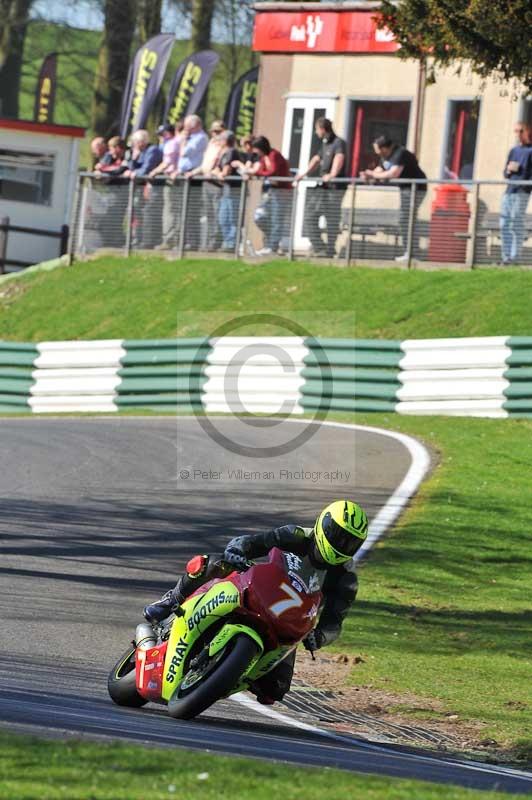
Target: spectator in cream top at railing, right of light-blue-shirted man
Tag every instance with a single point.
(211, 191)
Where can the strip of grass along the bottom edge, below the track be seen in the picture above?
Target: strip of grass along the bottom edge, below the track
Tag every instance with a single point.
(31, 769)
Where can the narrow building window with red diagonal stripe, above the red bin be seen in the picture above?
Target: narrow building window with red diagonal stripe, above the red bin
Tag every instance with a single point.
(461, 139)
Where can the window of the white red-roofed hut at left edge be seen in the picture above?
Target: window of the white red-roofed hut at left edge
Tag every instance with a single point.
(26, 177)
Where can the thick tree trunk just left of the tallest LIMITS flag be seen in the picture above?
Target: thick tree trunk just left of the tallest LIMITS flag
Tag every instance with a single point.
(113, 65)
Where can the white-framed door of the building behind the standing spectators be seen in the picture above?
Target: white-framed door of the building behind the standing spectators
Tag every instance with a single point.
(300, 143)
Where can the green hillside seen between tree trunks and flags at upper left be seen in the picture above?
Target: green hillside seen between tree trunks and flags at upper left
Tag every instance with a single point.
(78, 51)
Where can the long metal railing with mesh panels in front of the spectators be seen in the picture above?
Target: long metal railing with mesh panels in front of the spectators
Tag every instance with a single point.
(408, 222)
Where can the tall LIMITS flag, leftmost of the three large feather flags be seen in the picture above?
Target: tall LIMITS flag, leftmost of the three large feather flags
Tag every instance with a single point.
(144, 81)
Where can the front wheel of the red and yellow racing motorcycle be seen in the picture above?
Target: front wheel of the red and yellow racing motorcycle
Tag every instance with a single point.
(218, 682)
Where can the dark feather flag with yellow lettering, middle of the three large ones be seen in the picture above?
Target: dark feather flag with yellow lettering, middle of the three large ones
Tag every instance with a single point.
(189, 84)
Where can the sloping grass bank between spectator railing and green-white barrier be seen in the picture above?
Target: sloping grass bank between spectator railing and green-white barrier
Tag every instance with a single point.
(153, 297)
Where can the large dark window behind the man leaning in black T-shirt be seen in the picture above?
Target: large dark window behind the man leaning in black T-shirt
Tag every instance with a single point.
(369, 119)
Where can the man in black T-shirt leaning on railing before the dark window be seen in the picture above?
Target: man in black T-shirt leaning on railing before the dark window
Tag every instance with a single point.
(398, 162)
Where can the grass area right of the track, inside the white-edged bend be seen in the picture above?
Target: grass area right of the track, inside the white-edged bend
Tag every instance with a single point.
(444, 605)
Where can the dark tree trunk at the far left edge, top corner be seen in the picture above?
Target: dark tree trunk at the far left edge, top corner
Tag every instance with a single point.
(15, 17)
